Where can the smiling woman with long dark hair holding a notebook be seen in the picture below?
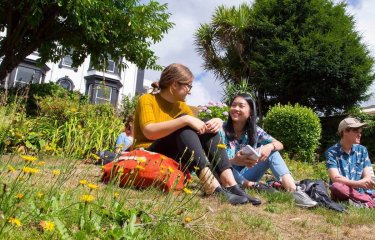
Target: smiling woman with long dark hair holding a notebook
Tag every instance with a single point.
(241, 130)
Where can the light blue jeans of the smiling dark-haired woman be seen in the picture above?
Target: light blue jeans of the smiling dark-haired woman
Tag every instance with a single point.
(274, 162)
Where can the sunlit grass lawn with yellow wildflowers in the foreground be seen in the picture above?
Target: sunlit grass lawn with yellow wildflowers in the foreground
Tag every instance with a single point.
(54, 194)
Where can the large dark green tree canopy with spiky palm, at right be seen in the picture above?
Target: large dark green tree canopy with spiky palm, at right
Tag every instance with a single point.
(301, 51)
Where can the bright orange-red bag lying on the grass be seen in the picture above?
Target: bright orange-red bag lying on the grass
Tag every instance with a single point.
(143, 169)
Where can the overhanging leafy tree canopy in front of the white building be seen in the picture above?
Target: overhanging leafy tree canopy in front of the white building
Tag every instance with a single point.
(100, 28)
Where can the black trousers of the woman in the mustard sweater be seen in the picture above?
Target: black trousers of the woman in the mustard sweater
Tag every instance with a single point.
(193, 150)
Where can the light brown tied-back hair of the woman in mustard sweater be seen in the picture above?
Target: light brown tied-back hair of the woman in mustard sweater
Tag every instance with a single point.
(175, 72)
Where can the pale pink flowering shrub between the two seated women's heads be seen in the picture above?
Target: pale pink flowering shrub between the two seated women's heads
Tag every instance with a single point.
(214, 110)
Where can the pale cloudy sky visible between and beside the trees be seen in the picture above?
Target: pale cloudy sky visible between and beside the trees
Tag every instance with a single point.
(178, 46)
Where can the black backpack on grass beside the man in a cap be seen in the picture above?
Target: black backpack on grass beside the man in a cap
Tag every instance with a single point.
(317, 191)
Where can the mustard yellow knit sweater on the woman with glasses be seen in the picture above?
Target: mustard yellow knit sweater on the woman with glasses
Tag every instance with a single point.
(152, 108)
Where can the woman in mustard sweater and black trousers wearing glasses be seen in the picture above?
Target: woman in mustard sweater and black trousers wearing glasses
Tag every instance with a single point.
(165, 124)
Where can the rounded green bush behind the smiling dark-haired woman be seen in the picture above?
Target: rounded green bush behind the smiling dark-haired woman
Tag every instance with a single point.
(297, 127)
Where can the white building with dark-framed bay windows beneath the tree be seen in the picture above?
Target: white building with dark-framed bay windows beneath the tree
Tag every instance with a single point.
(109, 86)
